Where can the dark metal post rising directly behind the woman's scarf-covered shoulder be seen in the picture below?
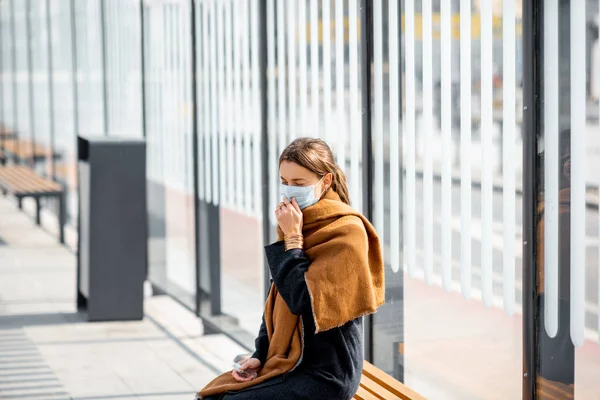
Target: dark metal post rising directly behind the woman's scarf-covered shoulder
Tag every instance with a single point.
(366, 53)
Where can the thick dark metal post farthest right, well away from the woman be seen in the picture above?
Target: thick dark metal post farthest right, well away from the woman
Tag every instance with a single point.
(532, 123)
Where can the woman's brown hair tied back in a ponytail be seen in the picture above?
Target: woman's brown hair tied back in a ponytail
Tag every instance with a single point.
(316, 156)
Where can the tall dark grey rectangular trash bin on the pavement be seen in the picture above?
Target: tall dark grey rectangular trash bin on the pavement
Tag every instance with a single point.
(112, 250)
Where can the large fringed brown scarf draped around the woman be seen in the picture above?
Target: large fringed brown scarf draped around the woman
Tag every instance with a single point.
(345, 280)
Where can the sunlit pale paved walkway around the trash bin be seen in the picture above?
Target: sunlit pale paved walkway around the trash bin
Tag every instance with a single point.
(48, 352)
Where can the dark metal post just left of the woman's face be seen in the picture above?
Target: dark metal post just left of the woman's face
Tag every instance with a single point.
(264, 119)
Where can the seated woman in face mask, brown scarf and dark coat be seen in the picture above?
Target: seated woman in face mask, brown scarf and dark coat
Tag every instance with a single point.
(327, 272)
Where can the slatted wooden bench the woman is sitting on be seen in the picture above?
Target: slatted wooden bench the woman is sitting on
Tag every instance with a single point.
(377, 385)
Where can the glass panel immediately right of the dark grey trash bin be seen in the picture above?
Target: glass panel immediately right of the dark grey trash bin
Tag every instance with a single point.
(170, 167)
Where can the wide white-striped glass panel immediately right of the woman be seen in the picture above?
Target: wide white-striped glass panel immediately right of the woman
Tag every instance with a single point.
(446, 104)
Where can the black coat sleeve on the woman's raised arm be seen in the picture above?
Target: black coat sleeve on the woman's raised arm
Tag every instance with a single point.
(287, 269)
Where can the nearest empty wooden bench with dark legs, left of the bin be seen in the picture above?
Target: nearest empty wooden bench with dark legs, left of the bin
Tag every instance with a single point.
(22, 182)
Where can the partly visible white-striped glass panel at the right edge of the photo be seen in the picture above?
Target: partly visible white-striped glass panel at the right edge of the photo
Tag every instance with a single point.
(568, 210)
